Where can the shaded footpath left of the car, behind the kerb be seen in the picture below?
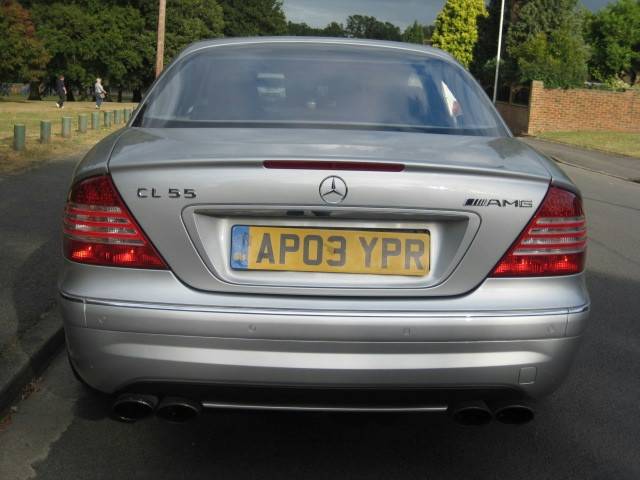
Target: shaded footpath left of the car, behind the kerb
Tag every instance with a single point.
(31, 206)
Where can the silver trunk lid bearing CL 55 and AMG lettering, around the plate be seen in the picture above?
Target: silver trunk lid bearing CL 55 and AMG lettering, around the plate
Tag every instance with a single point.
(451, 186)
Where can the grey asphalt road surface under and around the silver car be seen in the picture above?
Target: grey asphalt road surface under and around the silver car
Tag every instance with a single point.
(588, 429)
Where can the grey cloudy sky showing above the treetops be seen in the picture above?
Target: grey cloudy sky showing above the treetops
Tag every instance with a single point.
(319, 13)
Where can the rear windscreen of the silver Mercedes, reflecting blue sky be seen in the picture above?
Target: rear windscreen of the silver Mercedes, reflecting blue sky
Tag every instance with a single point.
(319, 86)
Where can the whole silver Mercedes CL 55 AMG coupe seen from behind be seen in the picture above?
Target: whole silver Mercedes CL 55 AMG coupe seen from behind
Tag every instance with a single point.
(371, 238)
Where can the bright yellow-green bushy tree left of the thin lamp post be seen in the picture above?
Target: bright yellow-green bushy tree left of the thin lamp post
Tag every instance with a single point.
(546, 43)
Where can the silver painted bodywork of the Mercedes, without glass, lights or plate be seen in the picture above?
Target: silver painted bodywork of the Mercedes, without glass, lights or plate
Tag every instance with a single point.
(202, 322)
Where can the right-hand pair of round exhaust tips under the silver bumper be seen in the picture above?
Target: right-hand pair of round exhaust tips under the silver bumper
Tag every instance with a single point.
(476, 412)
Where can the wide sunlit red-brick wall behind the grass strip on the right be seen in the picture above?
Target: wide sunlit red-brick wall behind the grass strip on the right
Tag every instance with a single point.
(554, 109)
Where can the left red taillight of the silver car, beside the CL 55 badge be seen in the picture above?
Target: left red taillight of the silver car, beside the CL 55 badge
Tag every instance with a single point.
(100, 230)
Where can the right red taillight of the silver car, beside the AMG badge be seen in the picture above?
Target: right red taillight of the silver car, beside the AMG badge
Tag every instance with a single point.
(553, 243)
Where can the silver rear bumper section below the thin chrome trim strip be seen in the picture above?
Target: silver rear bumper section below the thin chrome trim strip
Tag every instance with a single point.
(115, 345)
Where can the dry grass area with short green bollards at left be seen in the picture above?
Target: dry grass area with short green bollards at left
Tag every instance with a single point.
(30, 113)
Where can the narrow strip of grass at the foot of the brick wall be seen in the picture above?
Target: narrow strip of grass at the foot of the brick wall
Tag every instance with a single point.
(614, 142)
